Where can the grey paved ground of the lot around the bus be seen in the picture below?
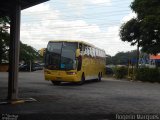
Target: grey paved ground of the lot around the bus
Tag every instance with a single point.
(93, 100)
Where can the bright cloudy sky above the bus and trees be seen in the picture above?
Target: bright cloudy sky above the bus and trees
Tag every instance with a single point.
(94, 21)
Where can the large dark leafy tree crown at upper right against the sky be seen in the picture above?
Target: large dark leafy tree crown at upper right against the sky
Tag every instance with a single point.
(145, 29)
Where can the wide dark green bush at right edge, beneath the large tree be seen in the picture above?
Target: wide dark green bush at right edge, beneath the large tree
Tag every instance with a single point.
(148, 74)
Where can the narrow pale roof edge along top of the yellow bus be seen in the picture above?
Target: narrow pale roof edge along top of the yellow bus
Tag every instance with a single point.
(79, 41)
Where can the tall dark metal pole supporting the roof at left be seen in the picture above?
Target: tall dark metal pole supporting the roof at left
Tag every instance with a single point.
(14, 51)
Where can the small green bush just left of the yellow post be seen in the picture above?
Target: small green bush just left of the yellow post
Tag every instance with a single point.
(120, 72)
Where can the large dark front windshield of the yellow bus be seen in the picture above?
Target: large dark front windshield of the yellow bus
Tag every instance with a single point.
(61, 56)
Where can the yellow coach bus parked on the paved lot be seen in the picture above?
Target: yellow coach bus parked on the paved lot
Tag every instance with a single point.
(73, 61)
